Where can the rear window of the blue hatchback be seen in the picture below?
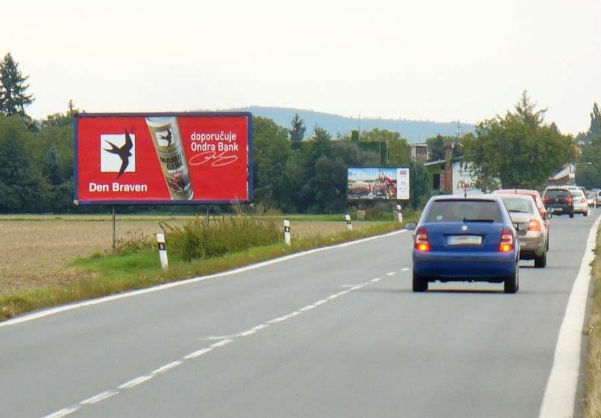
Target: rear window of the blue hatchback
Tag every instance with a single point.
(464, 211)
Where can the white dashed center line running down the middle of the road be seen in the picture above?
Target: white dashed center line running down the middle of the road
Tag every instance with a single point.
(223, 341)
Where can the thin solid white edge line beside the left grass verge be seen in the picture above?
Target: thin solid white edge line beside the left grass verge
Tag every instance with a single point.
(60, 309)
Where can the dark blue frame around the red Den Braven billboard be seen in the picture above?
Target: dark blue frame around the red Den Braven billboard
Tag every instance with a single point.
(250, 161)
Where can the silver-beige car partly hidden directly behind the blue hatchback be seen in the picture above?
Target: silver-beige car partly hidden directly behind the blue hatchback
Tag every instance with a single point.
(532, 233)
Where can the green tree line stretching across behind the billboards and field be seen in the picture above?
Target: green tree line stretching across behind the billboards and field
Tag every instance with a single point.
(294, 171)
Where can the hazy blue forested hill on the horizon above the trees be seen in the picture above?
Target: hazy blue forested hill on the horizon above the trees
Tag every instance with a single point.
(413, 131)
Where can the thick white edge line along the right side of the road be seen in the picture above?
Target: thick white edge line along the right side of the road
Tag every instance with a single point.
(560, 393)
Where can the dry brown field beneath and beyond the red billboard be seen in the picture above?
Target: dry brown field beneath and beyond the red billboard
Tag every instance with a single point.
(35, 251)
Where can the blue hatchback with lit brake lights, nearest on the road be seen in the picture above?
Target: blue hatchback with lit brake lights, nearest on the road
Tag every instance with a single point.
(468, 239)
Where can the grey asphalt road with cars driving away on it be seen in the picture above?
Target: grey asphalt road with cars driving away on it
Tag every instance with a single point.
(336, 333)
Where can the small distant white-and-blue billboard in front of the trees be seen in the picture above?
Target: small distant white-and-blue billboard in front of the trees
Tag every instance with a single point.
(377, 183)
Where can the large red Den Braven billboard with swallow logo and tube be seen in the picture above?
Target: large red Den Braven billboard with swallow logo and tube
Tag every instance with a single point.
(162, 158)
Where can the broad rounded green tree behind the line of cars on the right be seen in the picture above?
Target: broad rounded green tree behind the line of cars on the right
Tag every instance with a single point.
(518, 149)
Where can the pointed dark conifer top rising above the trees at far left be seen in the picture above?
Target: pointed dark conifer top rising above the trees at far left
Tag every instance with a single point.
(13, 97)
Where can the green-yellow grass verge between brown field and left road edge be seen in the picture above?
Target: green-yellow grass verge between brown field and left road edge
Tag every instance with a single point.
(103, 275)
